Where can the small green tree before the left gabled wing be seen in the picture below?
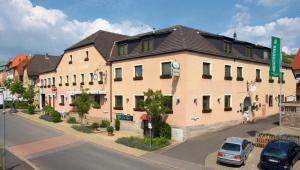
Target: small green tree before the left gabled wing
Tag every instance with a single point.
(83, 104)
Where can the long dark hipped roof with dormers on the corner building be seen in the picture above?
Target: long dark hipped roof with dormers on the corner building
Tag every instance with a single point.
(181, 38)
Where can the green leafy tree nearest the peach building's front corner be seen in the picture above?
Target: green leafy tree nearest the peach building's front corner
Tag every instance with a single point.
(154, 105)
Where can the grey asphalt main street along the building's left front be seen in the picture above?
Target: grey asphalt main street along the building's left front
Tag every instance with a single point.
(77, 155)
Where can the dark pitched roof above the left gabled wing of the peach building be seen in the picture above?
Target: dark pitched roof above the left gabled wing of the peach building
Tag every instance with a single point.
(102, 40)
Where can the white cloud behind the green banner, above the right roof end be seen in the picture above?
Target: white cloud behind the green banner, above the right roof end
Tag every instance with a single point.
(286, 28)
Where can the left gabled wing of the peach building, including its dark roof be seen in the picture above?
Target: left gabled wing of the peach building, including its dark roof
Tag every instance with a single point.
(83, 66)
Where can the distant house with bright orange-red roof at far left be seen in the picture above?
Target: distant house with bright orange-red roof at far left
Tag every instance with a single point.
(16, 67)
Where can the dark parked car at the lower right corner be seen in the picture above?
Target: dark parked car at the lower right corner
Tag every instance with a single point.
(279, 154)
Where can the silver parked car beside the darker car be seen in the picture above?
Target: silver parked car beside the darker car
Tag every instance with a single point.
(234, 151)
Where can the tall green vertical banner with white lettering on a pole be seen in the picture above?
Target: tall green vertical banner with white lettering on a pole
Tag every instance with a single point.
(275, 60)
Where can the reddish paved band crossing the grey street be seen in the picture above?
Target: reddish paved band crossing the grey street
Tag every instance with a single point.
(28, 149)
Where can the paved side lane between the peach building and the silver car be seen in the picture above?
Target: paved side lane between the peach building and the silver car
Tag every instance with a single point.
(197, 149)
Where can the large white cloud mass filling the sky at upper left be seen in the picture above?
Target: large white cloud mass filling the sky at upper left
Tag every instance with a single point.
(25, 28)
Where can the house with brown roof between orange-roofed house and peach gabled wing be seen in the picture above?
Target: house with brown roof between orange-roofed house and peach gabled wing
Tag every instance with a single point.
(39, 64)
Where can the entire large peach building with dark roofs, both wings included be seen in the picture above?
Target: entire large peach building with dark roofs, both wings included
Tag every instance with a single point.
(209, 88)
